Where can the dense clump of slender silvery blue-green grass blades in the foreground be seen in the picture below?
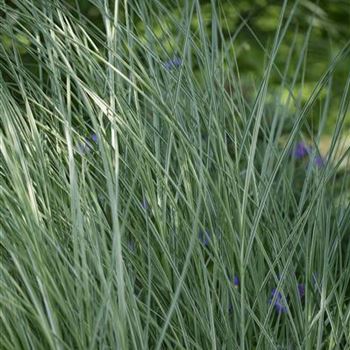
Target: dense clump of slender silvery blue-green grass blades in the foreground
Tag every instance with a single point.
(87, 264)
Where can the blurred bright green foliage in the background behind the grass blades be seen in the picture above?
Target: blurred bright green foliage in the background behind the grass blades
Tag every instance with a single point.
(330, 32)
